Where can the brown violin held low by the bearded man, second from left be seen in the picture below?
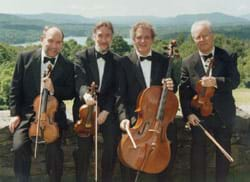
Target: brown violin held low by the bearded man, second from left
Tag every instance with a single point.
(87, 114)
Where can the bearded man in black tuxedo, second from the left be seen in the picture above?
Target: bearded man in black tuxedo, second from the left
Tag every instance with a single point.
(97, 64)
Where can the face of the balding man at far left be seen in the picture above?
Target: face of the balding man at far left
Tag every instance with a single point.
(52, 42)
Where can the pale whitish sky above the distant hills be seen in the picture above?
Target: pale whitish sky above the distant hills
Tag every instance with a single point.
(94, 8)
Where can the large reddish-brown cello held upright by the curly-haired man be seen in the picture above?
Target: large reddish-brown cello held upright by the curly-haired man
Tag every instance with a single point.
(145, 147)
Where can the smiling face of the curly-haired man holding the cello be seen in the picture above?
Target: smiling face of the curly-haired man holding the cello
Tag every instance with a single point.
(143, 40)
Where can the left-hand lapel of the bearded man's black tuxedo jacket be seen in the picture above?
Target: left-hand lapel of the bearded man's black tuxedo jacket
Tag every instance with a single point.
(93, 65)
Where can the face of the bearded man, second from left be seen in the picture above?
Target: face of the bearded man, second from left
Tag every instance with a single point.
(103, 38)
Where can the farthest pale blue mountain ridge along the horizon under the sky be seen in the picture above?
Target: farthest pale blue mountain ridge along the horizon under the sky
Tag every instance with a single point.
(180, 20)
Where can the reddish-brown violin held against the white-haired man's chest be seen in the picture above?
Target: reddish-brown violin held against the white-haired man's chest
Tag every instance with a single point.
(202, 100)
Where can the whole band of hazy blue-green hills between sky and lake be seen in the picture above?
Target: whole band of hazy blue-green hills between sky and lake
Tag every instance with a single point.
(22, 28)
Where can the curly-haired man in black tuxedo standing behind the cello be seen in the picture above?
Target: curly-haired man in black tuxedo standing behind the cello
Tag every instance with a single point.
(139, 70)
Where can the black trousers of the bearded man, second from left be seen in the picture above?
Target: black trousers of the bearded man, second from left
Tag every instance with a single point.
(82, 155)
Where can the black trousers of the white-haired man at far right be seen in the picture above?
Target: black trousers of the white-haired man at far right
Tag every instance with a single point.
(222, 134)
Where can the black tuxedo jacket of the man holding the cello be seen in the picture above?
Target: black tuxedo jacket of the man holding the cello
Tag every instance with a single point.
(131, 81)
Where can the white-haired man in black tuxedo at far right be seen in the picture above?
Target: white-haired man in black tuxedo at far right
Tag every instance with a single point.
(224, 77)
